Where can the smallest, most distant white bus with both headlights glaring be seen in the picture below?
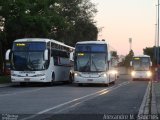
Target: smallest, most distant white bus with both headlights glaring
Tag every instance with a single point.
(141, 67)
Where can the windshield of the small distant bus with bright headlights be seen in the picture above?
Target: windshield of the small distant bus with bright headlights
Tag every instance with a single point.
(141, 64)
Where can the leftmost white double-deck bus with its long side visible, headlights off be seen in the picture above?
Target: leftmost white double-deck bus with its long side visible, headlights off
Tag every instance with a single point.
(39, 60)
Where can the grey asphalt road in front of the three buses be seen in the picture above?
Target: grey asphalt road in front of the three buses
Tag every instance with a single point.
(66, 101)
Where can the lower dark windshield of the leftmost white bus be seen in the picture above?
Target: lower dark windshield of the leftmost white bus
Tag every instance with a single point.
(28, 61)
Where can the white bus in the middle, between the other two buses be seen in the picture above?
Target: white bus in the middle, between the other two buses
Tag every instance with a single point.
(93, 63)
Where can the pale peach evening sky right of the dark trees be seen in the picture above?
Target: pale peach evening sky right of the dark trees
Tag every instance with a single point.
(124, 19)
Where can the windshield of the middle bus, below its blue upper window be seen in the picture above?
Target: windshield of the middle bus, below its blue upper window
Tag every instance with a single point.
(91, 62)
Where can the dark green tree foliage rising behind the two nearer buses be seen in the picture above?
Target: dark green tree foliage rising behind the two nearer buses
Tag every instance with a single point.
(63, 20)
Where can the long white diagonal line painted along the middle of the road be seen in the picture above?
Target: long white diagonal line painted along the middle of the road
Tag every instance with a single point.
(77, 99)
